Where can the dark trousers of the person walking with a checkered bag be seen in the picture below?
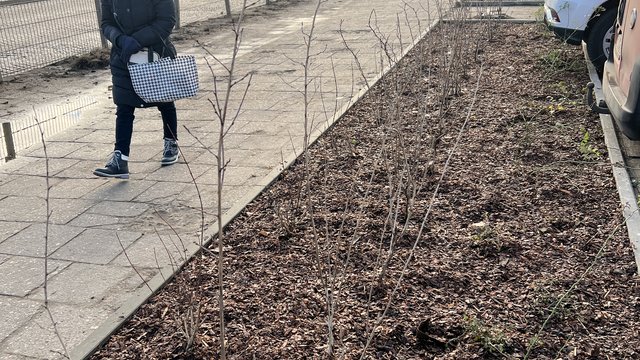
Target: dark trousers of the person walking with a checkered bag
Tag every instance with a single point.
(124, 124)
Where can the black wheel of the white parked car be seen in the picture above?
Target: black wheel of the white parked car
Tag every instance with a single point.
(600, 38)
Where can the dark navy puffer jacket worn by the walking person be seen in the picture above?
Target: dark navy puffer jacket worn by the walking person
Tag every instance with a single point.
(150, 22)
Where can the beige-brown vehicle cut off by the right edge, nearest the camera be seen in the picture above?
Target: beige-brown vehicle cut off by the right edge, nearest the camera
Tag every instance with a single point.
(621, 78)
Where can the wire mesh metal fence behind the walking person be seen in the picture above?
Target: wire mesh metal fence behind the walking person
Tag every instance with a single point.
(36, 33)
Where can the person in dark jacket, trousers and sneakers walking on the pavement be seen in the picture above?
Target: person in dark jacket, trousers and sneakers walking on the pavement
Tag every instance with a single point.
(133, 26)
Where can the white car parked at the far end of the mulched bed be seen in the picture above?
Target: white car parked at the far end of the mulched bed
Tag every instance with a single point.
(591, 21)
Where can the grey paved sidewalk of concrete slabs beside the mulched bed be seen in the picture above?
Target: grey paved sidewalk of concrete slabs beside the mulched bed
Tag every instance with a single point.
(91, 282)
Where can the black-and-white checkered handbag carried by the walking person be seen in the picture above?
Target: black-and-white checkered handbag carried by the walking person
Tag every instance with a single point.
(165, 80)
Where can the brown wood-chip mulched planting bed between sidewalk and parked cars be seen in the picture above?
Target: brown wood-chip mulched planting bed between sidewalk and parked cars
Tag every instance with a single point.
(521, 253)
